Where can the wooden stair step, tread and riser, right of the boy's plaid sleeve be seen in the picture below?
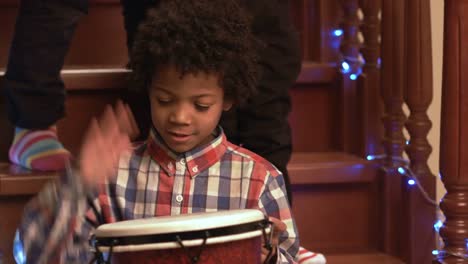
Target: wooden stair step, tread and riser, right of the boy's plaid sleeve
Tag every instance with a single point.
(331, 192)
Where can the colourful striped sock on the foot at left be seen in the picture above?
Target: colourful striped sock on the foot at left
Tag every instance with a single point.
(38, 149)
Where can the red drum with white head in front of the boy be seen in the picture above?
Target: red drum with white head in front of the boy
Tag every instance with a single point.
(233, 236)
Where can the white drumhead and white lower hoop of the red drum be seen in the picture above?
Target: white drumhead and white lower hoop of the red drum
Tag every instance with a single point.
(181, 223)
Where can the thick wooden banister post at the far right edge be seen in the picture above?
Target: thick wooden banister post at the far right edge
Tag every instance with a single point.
(454, 133)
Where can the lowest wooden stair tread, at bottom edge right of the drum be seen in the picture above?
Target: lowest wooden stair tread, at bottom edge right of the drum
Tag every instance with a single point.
(362, 258)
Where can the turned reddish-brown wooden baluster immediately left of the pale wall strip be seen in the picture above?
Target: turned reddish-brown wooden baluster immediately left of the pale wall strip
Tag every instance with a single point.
(420, 214)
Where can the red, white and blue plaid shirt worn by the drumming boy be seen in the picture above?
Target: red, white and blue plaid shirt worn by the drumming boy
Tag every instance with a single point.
(154, 181)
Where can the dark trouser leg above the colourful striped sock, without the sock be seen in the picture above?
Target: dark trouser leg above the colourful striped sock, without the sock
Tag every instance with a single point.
(32, 84)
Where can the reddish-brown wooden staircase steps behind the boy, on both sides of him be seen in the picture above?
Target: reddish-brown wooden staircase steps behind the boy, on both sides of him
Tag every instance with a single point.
(339, 196)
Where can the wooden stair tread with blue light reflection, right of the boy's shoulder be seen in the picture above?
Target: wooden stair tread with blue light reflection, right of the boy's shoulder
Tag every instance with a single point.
(329, 167)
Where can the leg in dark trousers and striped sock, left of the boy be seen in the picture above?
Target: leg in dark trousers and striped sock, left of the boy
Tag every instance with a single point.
(34, 92)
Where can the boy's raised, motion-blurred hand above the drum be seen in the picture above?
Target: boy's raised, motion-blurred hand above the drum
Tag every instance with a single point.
(104, 142)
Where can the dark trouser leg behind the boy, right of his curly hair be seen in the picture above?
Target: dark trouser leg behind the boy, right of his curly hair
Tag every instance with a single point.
(262, 124)
